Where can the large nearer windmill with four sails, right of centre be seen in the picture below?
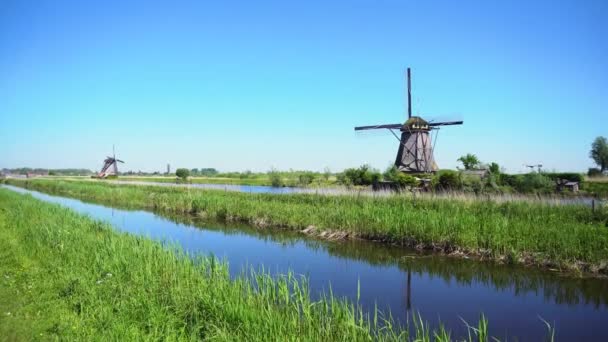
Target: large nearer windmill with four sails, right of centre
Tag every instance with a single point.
(415, 154)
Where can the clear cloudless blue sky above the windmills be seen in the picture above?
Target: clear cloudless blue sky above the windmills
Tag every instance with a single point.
(254, 85)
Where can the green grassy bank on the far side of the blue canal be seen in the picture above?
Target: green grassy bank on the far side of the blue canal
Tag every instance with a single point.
(557, 236)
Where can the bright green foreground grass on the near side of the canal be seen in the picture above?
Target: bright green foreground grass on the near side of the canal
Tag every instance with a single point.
(67, 277)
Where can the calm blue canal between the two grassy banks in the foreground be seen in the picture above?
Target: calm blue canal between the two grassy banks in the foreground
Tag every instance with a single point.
(512, 298)
